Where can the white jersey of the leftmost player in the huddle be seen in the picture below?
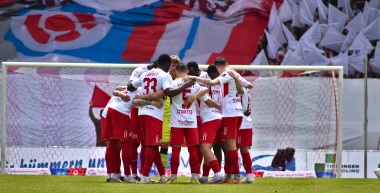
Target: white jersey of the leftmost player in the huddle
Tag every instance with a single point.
(119, 105)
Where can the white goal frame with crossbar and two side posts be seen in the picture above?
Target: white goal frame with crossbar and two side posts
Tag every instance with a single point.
(338, 90)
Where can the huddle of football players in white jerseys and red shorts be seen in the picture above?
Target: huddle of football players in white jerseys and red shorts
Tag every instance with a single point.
(169, 103)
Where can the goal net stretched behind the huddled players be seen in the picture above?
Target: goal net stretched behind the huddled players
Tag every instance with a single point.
(52, 114)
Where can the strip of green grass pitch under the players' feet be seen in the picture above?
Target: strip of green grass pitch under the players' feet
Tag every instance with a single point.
(76, 184)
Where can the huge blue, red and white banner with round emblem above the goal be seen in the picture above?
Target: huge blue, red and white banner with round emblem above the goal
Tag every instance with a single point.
(116, 31)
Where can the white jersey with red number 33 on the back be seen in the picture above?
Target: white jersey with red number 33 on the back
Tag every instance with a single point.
(150, 82)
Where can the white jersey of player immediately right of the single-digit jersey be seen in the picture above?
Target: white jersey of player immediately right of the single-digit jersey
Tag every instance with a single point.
(210, 113)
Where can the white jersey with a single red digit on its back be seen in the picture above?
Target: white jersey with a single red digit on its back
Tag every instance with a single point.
(184, 116)
